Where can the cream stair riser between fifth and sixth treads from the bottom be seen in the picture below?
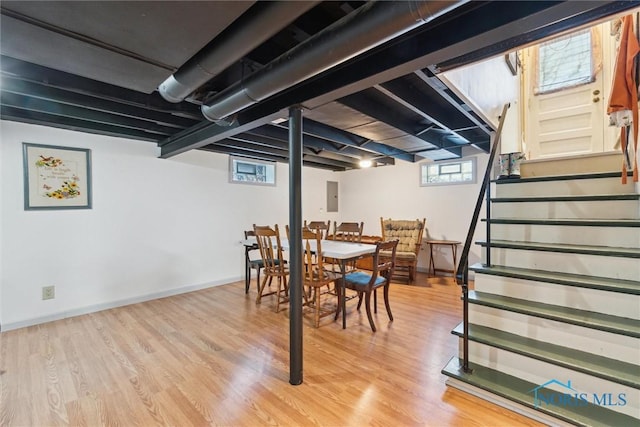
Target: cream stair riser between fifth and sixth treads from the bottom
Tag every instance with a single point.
(624, 237)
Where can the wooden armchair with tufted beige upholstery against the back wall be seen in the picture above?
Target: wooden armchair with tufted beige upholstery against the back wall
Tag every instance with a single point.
(409, 236)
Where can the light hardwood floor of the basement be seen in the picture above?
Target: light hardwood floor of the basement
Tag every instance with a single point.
(213, 357)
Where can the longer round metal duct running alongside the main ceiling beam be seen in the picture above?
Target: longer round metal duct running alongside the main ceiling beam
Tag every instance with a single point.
(365, 28)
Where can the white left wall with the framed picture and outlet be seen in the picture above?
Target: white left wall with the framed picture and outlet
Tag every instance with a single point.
(157, 226)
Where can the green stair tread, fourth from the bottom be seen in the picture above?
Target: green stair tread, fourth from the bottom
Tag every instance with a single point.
(580, 280)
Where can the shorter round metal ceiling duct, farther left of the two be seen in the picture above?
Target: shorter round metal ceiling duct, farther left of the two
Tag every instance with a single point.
(240, 38)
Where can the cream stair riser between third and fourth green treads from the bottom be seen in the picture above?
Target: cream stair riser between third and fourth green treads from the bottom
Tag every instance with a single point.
(613, 303)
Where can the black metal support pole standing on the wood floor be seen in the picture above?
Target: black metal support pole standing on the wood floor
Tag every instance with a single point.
(295, 245)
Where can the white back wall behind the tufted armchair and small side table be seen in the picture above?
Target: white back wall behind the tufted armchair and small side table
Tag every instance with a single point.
(395, 192)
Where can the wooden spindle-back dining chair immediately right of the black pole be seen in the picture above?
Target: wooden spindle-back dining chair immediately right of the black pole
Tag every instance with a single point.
(316, 278)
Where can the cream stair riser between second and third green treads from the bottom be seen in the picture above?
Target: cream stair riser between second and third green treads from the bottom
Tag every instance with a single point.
(601, 343)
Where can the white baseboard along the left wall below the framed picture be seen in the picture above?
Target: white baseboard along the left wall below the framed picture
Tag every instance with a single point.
(114, 304)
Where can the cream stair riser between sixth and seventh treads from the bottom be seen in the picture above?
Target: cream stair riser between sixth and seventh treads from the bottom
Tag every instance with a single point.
(614, 209)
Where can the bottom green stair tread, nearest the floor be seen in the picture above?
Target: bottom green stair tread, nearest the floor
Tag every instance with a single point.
(522, 392)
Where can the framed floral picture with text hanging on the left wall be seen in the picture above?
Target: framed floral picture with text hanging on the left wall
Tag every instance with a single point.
(56, 177)
